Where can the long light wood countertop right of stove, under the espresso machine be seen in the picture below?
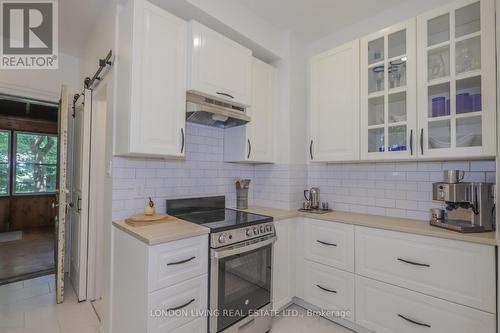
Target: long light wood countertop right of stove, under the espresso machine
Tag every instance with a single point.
(417, 227)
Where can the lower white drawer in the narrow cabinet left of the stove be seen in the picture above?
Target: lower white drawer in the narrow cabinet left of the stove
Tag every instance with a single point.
(189, 298)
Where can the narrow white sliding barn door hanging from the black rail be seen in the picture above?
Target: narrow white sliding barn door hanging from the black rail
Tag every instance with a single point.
(80, 195)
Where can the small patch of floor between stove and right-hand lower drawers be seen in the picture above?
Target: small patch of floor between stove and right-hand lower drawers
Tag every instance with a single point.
(305, 324)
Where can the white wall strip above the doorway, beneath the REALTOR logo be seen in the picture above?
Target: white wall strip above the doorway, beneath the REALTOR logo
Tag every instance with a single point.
(44, 84)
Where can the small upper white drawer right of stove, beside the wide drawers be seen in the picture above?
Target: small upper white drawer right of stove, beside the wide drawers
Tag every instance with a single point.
(329, 243)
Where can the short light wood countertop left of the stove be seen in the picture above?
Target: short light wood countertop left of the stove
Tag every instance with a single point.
(163, 232)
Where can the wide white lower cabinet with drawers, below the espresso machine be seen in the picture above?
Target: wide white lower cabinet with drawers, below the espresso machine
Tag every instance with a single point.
(398, 283)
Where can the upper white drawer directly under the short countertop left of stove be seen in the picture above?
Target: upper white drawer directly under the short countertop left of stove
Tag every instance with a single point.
(177, 261)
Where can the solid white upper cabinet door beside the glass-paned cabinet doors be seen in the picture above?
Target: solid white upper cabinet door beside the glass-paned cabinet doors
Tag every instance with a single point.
(334, 105)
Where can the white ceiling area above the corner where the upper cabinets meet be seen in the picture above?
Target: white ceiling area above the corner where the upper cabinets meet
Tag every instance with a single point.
(314, 19)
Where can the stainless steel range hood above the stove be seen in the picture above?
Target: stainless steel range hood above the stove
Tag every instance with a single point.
(208, 111)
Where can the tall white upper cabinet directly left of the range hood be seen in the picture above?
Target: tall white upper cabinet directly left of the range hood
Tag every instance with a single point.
(151, 82)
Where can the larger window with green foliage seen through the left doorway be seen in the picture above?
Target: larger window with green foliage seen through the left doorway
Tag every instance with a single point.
(36, 163)
